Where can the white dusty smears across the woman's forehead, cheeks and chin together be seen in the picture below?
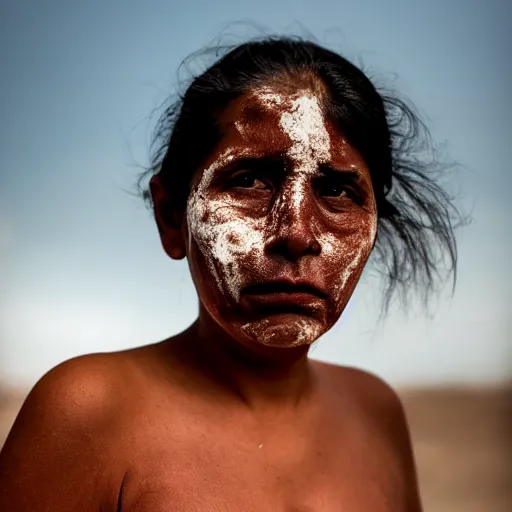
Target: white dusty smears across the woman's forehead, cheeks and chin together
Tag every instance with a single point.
(226, 237)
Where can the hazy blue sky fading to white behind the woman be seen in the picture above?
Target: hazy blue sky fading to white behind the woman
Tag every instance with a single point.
(81, 265)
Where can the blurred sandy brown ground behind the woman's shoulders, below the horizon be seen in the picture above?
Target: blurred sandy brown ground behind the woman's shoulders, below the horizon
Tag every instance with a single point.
(462, 440)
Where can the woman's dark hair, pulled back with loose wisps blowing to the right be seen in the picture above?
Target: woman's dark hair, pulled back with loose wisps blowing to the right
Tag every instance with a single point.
(416, 216)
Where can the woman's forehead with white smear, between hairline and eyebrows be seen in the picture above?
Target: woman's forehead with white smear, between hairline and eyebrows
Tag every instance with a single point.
(253, 121)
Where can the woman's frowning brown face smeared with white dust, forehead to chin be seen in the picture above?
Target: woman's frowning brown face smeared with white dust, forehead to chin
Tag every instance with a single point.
(280, 222)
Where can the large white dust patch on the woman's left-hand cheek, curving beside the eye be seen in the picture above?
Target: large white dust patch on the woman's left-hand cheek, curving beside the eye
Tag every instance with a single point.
(223, 236)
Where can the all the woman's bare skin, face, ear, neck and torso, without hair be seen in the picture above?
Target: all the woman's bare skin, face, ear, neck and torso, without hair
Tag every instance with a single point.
(232, 415)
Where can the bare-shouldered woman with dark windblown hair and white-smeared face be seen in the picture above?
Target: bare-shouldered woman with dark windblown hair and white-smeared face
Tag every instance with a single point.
(276, 175)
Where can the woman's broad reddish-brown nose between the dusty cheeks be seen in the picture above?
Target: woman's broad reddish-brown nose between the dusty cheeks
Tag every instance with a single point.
(291, 234)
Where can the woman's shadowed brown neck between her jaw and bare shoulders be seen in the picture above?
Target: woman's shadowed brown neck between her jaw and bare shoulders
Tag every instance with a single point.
(261, 377)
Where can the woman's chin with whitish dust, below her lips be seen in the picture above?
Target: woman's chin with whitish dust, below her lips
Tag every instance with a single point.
(284, 331)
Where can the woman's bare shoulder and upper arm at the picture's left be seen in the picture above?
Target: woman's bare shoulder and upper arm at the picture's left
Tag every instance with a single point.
(55, 456)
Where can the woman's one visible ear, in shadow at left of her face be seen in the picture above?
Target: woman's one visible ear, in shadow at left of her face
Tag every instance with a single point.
(168, 220)
